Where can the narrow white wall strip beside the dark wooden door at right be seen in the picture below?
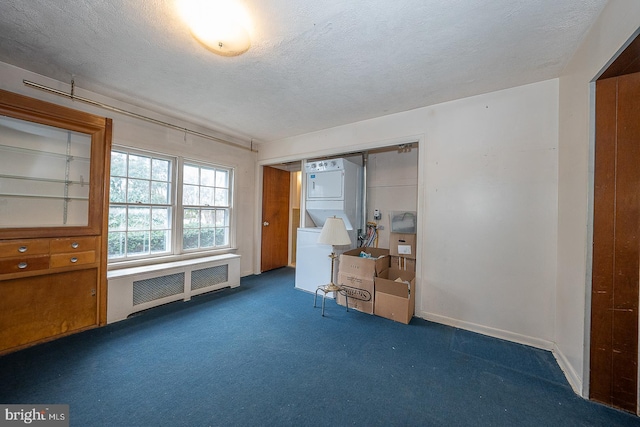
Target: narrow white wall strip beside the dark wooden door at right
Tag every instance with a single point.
(615, 26)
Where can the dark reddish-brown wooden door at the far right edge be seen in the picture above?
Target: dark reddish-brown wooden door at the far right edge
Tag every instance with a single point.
(616, 244)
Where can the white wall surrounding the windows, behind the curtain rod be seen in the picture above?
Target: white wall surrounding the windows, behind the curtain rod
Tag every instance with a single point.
(141, 134)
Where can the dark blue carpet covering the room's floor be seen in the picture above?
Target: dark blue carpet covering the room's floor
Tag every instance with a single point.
(261, 355)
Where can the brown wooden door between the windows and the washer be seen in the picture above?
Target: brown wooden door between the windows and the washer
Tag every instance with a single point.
(275, 218)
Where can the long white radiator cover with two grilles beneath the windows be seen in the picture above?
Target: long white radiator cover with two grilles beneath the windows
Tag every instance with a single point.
(140, 288)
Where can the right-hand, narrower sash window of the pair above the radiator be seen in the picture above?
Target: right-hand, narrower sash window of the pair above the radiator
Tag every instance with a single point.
(206, 205)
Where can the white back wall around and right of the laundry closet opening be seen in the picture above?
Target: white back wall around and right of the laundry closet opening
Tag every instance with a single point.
(487, 205)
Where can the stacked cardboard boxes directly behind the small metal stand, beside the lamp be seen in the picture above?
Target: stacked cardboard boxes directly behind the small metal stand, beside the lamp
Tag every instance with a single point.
(356, 274)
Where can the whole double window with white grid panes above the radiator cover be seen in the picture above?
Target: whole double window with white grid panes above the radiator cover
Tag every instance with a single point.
(146, 220)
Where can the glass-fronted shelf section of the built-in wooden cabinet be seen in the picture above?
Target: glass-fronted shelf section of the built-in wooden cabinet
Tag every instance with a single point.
(44, 169)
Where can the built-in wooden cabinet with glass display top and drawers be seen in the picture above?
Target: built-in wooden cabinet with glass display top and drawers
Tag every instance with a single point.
(53, 199)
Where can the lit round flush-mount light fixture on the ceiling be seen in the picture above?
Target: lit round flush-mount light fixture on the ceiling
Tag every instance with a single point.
(222, 26)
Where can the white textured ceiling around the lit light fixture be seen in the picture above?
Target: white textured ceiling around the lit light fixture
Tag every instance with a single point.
(312, 64)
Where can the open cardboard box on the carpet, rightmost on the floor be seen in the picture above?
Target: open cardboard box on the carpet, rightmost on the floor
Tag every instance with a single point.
(395, 300)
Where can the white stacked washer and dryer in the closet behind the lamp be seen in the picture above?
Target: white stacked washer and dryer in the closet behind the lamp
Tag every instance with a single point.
(331, 187)
